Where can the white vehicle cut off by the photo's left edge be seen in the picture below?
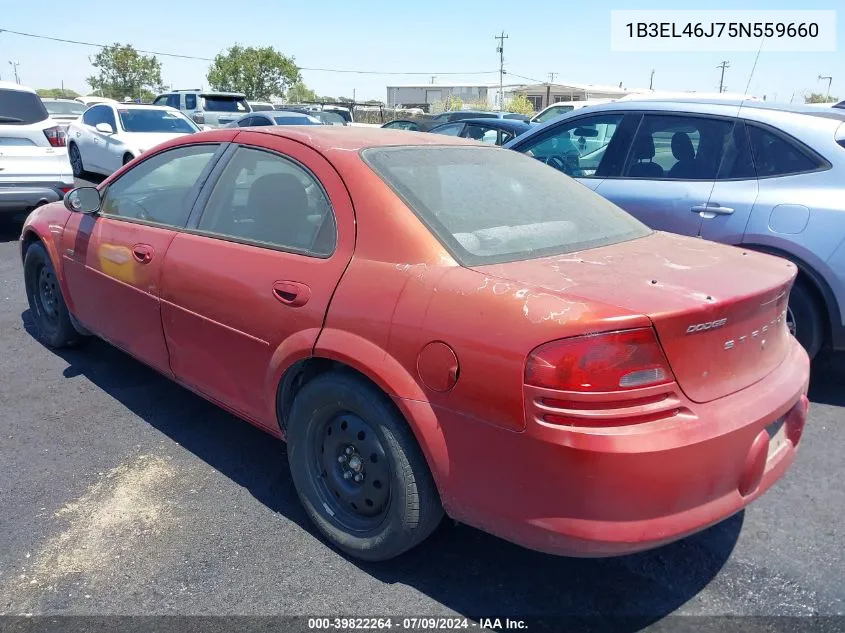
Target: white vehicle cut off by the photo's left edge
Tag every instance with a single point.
(34, 167)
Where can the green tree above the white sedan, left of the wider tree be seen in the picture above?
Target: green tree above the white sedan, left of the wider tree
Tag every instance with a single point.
(124, 72)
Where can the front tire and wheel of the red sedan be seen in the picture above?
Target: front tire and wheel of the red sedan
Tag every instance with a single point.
(53, 325)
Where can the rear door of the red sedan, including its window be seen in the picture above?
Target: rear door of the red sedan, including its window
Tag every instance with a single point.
(255, 271)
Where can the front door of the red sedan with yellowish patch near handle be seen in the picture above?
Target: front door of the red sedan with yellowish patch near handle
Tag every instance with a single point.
(113, 260)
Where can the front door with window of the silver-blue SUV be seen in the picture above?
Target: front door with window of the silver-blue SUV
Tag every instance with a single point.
(565, 147)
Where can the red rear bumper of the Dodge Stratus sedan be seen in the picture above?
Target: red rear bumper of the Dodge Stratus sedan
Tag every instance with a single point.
(609, 491)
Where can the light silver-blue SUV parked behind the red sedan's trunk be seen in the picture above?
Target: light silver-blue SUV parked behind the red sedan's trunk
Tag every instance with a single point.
(764, 176)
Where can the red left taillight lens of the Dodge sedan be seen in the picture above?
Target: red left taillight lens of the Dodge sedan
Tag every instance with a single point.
(613, 361)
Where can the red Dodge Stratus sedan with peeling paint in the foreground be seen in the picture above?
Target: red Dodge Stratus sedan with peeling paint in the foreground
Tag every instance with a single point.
(436, 325)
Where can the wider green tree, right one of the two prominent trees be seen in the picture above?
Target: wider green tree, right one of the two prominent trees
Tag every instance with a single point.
(259, 73)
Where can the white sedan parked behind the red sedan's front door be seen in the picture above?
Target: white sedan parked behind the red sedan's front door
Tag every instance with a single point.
(109, 135)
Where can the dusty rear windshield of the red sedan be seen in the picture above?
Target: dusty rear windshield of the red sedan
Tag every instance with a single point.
(489, 205)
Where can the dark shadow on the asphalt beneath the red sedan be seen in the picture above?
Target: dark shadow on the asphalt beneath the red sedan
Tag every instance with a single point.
(466, 570)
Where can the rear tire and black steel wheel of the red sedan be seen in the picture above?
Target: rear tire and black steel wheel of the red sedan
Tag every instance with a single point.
(341, 423)
